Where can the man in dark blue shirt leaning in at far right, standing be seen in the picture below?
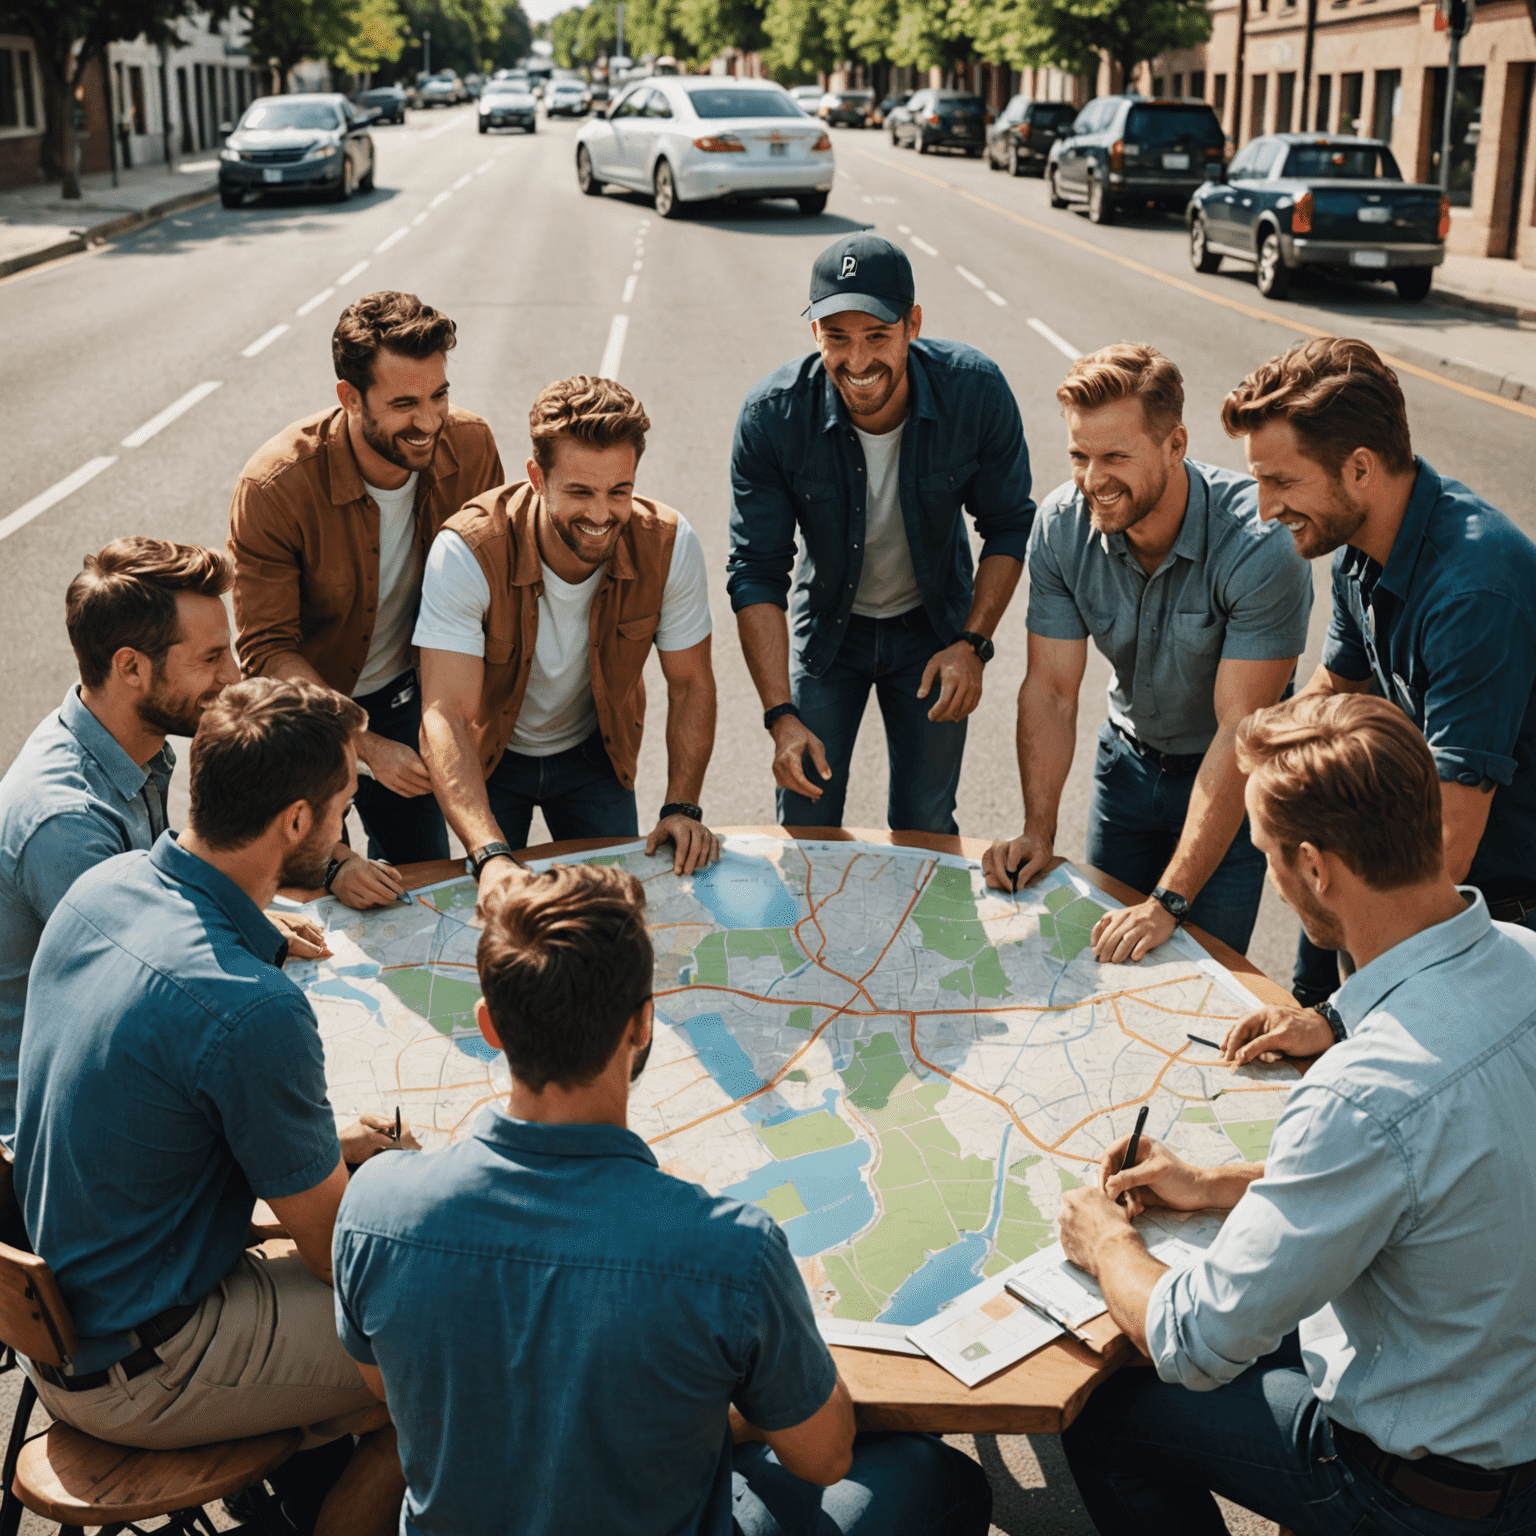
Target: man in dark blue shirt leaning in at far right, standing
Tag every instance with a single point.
(1434, 603)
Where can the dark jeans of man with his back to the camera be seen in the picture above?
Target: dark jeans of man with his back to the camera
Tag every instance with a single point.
(898, 1486)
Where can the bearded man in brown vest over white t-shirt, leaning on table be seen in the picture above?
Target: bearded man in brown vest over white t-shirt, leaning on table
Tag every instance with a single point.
(540, 606)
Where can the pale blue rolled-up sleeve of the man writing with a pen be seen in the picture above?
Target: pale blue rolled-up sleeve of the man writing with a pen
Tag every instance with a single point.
(1336, 1188)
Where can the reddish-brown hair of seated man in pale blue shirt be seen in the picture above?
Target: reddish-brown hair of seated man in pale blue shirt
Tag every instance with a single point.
(1351, 775)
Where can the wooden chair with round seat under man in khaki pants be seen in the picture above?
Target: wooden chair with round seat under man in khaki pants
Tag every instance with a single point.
(76, 1480)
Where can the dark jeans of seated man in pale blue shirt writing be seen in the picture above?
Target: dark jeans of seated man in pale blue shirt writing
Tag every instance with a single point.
(1147, 1458)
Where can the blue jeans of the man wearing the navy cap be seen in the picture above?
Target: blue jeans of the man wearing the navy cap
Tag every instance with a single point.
(887, 655)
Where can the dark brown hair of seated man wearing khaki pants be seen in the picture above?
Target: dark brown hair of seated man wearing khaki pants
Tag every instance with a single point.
(262, 746)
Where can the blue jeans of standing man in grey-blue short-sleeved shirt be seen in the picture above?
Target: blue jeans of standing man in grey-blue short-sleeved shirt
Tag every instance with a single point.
(1134, 821)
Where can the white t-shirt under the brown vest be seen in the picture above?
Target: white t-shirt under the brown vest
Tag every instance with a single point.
(558, 710)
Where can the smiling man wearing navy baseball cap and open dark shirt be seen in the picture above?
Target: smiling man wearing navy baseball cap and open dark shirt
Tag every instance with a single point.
(867, 449)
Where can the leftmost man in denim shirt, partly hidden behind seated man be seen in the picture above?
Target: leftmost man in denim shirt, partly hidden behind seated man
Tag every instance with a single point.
(153, 644)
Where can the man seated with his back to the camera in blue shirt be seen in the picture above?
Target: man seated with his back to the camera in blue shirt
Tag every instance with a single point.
(572, 1340)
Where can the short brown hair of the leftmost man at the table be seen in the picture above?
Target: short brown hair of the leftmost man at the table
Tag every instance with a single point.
(127, 595)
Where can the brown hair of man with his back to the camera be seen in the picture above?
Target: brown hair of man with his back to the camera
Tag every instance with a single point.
(564, 964)
